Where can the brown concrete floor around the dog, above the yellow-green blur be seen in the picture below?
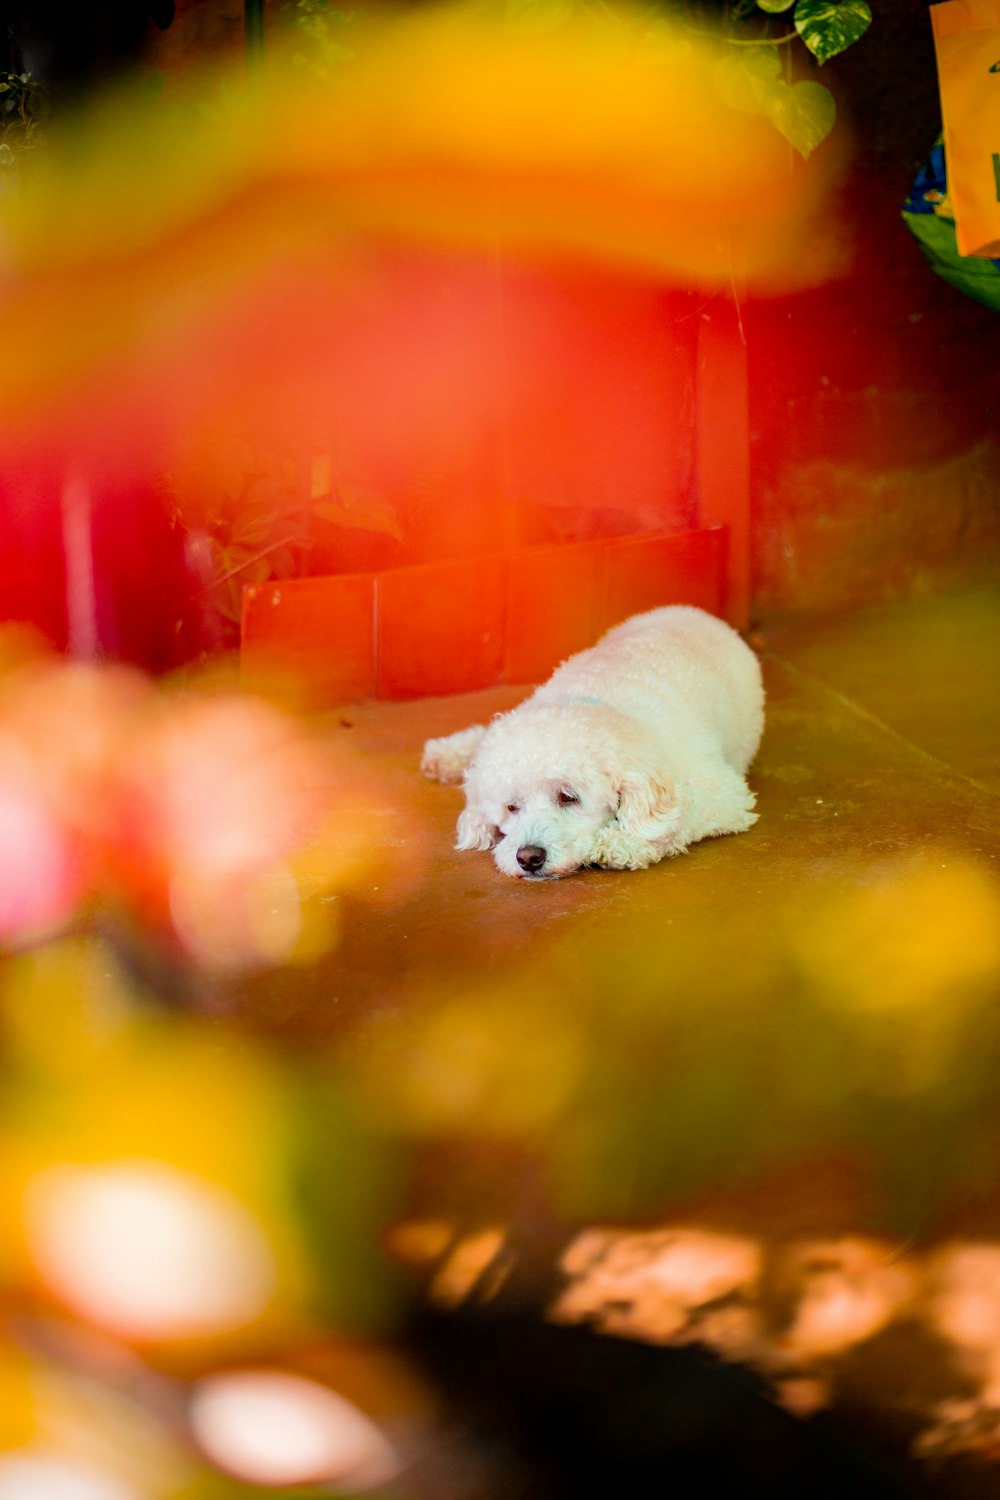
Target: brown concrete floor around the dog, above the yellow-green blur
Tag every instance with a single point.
(882, 739)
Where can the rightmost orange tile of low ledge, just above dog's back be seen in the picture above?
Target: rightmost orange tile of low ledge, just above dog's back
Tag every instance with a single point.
(645, 572)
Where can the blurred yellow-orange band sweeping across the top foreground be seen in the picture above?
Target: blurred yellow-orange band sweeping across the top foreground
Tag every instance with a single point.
(163, 260)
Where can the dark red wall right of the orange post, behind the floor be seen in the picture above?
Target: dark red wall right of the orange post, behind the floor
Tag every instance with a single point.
(873, 401)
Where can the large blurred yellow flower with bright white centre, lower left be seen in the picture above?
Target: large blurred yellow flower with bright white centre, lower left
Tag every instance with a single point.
(149, 1192)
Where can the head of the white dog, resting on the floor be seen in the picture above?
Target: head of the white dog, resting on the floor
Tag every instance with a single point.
(558, 787)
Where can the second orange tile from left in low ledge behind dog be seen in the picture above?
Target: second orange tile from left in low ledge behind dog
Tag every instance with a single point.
(442, 628)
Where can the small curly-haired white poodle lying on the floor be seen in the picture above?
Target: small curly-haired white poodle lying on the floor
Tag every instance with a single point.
(630, 752)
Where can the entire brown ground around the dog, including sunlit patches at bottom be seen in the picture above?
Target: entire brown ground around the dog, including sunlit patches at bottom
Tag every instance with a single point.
(744, 1099)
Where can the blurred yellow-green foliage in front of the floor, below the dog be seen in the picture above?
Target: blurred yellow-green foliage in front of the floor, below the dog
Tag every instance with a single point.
(857, 1027)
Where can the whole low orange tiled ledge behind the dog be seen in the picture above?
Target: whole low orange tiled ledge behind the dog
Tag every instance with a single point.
(460, 626)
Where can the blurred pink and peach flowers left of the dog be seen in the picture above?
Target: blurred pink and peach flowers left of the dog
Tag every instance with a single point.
(184, 814)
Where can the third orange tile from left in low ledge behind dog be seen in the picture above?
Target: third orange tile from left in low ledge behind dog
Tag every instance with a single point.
(552, 608)
